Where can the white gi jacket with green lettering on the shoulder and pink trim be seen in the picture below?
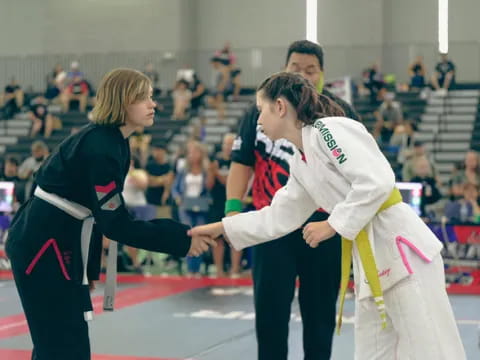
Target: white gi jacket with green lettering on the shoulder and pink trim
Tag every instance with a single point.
(346, 174)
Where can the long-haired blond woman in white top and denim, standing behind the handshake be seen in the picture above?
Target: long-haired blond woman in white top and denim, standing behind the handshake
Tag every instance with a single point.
(190, 192)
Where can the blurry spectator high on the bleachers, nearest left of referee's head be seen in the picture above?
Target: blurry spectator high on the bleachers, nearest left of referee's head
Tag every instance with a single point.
(222, 84)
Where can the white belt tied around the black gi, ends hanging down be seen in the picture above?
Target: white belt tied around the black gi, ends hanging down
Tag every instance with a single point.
(85, 215)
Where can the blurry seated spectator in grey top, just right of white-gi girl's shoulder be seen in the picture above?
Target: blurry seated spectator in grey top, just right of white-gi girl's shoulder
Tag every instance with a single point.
(388, 116)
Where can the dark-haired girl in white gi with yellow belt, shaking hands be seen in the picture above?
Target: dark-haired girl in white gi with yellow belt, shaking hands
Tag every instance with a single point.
(402, 308)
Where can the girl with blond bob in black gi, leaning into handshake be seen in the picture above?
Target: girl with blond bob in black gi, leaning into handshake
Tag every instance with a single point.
(81, 183)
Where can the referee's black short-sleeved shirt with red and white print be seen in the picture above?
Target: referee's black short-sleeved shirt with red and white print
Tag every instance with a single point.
(270, 160)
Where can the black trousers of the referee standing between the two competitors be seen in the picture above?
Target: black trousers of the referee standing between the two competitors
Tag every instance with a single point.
(276, 265)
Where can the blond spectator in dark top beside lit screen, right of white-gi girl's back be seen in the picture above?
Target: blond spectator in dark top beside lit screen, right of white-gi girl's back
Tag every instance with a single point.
(423, 174)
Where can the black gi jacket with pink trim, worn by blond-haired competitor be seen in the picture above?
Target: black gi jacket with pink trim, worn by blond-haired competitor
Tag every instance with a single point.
(88, 168)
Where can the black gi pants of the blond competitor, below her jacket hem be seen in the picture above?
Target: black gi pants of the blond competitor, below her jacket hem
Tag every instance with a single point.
(54, 310)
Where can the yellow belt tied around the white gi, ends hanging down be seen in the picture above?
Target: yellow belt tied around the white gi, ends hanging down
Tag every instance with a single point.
(368, 263)
